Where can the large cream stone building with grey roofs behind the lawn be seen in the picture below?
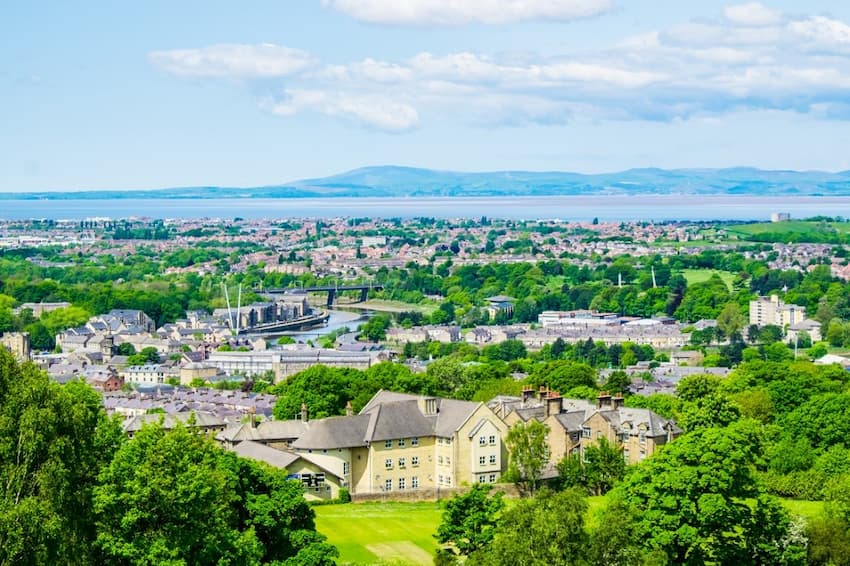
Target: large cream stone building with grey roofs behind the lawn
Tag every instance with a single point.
(401, 442)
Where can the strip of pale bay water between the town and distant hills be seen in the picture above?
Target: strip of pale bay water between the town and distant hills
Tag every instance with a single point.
(607, 208)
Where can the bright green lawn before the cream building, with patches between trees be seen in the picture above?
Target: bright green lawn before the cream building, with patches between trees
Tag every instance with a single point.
(402, 533)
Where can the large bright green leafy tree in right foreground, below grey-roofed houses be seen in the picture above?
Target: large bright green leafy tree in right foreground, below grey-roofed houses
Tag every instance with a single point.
(694, 500)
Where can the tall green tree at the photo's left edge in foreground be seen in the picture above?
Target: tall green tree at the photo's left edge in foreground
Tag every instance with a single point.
(54, 440)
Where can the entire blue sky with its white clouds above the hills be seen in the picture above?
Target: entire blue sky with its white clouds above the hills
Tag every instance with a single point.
(97, 95)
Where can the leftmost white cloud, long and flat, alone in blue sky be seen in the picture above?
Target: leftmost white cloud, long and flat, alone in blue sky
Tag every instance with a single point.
(234, 61)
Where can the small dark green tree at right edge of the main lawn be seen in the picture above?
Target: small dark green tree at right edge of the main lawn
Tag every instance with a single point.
(469, 520)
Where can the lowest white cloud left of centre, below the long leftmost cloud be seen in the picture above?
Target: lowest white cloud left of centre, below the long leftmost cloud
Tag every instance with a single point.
(371, 111)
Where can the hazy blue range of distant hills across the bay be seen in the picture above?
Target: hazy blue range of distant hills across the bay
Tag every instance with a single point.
(400, 182)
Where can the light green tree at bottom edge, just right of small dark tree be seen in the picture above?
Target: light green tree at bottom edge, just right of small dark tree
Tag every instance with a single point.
(548, 529)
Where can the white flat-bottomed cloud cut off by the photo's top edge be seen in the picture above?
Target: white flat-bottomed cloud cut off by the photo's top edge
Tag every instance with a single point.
(459, 12)
